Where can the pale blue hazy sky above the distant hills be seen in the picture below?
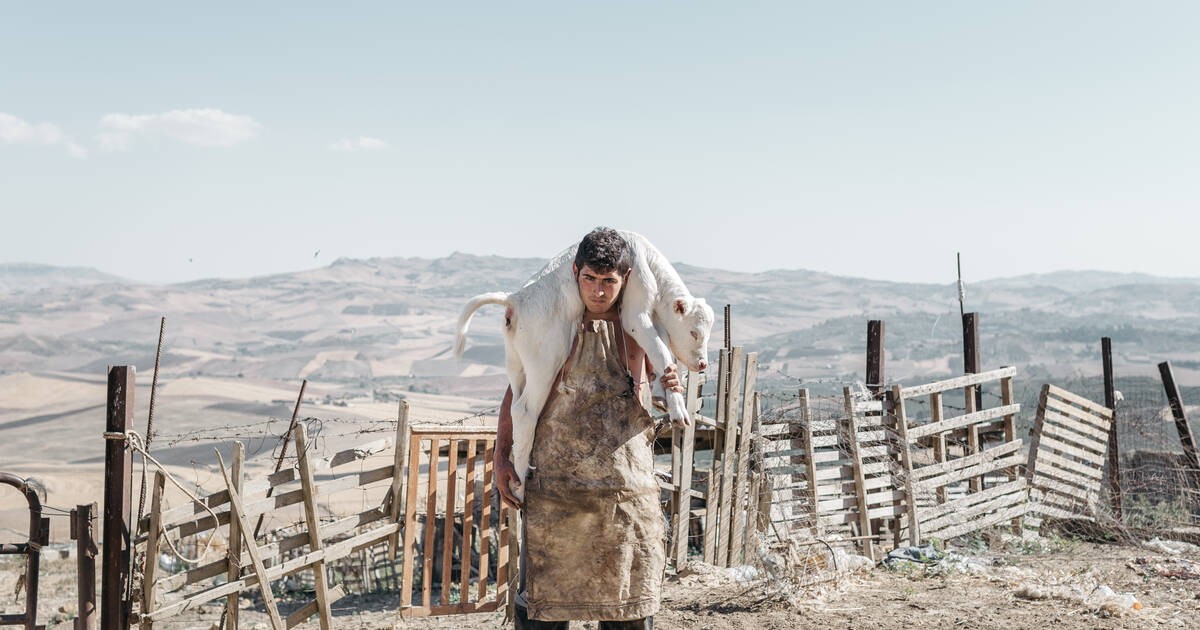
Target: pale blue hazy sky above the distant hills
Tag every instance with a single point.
(869, 139)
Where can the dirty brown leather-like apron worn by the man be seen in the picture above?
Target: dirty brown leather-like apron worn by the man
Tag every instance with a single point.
(596, 542)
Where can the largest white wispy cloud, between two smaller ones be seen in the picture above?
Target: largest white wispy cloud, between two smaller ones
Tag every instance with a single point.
(200, 128)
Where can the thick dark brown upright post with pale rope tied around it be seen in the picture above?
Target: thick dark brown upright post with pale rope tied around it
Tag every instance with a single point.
(115, 611)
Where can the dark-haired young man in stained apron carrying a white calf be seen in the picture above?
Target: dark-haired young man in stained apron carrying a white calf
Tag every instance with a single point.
(595, 536)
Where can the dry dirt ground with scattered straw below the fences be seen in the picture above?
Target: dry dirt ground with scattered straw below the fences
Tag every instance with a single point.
(707, 598)
